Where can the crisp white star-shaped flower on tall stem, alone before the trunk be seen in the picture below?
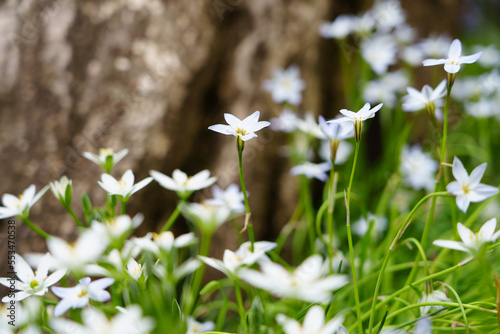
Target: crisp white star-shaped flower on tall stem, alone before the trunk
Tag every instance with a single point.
(244, 129)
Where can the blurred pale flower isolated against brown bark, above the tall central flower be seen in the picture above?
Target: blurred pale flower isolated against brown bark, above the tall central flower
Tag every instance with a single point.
(285, 86)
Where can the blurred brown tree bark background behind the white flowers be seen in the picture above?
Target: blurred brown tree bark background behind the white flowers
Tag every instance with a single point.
(152, 75)
